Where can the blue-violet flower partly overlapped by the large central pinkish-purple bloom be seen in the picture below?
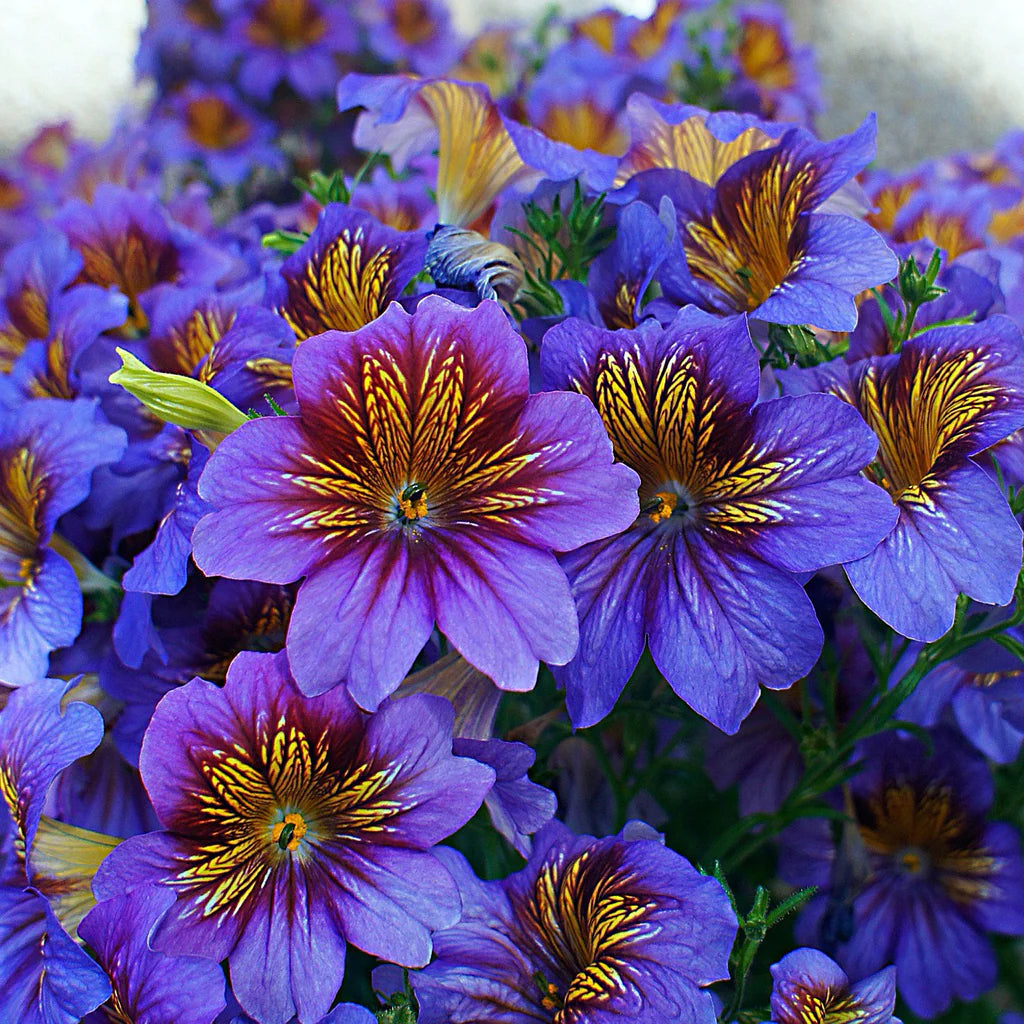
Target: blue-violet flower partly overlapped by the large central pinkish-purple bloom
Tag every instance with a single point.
(735, 501)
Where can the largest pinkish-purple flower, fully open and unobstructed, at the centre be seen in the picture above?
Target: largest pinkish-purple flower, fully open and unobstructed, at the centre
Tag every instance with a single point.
(419, 484)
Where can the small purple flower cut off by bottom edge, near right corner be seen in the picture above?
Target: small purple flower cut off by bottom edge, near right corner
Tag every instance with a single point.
(810, 989)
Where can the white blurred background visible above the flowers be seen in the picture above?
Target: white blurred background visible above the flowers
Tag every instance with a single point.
(944, 75)
